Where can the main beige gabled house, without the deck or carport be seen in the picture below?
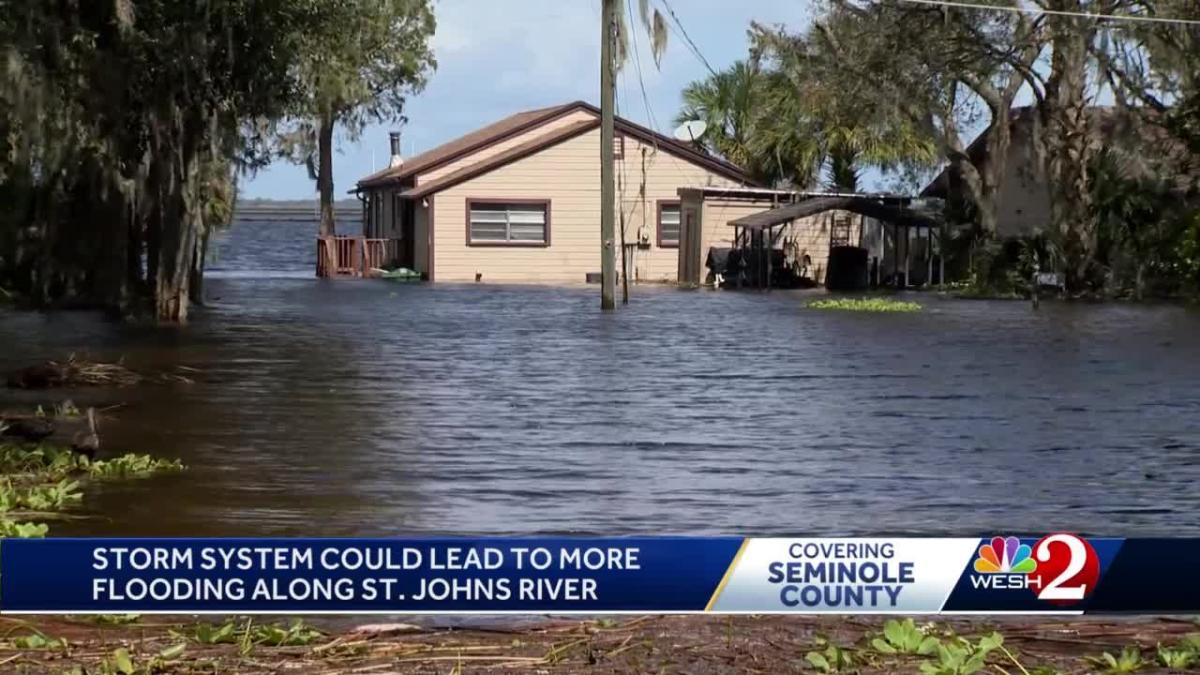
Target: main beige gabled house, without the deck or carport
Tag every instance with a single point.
(520, 201)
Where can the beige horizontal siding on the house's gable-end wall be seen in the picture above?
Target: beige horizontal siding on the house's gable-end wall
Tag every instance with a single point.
(568, 175)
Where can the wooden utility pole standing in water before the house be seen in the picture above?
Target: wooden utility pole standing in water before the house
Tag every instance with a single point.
(608, 194)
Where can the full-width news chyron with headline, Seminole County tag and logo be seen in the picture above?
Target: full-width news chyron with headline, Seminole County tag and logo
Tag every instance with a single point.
(1055, 574)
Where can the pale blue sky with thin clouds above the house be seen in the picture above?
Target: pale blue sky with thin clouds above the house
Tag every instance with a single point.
(500, 57)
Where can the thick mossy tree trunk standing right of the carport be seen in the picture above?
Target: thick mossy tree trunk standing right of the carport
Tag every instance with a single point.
(1069, 141)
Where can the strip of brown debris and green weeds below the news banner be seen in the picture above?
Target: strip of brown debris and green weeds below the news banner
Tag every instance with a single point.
(652, 644)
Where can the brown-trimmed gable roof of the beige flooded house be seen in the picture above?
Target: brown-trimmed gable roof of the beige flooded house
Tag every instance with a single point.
(521, 123)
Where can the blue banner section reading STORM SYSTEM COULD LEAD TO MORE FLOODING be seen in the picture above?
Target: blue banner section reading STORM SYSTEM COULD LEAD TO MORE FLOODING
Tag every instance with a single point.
(362, 576)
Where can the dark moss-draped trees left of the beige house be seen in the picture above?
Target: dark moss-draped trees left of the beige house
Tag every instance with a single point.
(124, 126)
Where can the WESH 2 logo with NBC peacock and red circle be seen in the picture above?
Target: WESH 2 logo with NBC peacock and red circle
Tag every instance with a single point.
(1059, 569)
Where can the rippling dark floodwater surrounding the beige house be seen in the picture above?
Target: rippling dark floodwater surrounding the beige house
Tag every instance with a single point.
(374, 409)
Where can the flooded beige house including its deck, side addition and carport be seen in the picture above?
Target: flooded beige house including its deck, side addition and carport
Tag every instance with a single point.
(519, 201)
